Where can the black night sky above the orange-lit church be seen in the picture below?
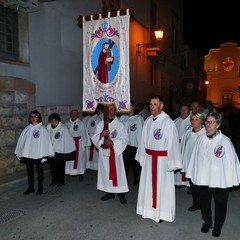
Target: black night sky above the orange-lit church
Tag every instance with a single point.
(209, 23)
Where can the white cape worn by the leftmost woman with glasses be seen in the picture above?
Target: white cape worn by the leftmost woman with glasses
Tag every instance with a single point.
(34, 142)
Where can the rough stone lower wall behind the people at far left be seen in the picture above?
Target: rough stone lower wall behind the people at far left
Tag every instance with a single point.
(17, 100)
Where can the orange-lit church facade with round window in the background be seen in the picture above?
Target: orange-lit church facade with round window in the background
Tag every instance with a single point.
(222, 67)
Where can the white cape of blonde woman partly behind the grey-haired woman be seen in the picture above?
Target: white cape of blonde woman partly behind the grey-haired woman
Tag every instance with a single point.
(187, 144)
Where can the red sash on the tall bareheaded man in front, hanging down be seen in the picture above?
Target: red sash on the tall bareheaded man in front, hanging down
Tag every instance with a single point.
(155, 154)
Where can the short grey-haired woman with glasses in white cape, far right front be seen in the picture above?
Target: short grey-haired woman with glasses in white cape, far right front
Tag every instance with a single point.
(214, 167)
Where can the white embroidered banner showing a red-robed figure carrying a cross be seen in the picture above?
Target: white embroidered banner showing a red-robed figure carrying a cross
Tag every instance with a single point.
(106, 63)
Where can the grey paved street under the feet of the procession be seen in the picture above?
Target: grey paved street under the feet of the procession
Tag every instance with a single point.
(75, 211)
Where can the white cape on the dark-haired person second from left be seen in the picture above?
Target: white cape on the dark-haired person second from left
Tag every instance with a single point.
(61, 138)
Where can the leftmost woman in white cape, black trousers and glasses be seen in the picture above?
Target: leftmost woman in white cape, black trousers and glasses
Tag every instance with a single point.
(33, 147)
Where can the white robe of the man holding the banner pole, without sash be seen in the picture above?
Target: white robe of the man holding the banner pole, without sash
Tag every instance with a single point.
(119, 136)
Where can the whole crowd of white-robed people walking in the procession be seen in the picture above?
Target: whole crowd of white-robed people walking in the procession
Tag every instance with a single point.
(193, 146)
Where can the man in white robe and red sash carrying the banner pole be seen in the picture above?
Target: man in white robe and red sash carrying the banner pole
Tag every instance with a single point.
(111, 144)
